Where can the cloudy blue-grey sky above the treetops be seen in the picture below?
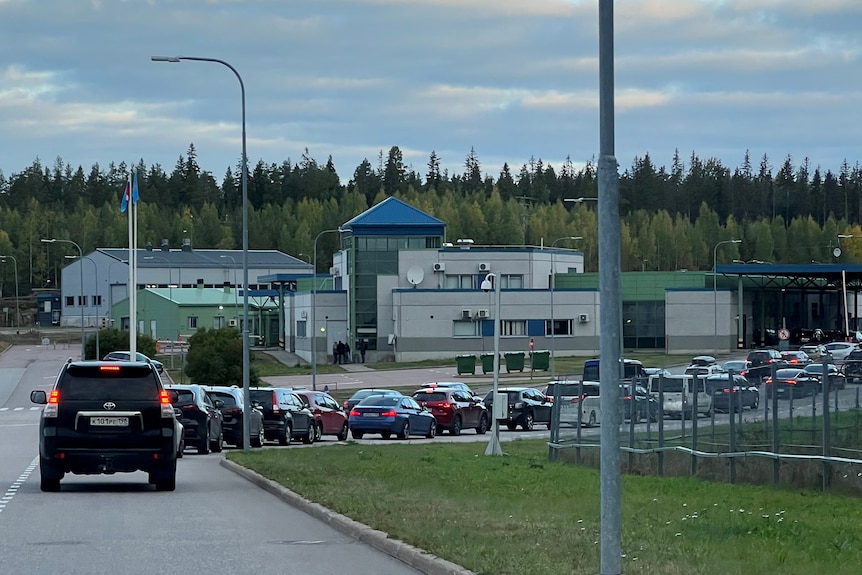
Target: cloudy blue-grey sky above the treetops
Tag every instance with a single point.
(512, 79)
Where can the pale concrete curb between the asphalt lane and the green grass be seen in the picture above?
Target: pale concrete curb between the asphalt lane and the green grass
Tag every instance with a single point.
(412, 556)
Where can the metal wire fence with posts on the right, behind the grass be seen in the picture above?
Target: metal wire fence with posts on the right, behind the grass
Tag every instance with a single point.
(811, 440)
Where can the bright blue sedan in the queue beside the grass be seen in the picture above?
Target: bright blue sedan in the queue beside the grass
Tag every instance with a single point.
(388, 414)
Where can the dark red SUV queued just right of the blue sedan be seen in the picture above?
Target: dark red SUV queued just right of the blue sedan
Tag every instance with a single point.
(454, 409)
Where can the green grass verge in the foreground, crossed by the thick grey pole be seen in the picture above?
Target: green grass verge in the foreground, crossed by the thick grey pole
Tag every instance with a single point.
(523, 514)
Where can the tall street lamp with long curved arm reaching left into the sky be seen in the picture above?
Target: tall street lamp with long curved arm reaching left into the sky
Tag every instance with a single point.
(246, 356)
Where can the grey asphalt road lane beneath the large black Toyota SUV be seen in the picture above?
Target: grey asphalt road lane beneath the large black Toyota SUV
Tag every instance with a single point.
(215, 521)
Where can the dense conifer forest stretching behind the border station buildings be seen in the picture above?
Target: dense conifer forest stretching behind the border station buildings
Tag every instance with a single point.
(673, 217)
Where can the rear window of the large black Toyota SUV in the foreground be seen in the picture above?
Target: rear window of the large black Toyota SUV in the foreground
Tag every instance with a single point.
(91, 382)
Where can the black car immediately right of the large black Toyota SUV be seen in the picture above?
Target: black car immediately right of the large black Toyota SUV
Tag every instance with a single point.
(200, 415)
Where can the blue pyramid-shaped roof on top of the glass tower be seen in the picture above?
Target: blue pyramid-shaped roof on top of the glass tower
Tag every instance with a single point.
(393, 217)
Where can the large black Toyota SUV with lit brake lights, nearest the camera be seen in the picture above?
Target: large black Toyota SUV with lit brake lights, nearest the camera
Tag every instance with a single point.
(106, 417)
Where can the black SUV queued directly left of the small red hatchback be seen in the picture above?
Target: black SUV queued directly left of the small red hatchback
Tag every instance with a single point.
(285, 416)
